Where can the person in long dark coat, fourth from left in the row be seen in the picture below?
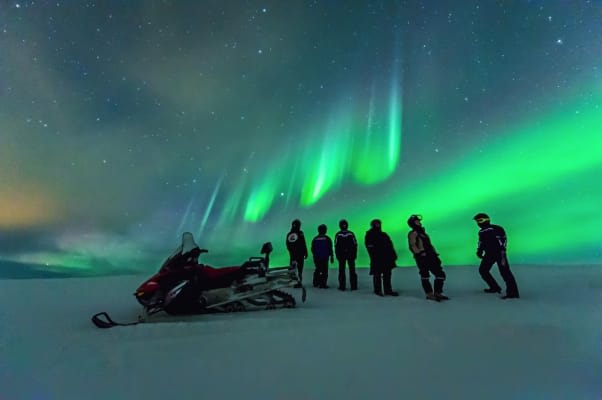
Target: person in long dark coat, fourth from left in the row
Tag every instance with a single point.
(382, 258)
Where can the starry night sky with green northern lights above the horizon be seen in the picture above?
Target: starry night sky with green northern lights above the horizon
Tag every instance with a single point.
(124, 124)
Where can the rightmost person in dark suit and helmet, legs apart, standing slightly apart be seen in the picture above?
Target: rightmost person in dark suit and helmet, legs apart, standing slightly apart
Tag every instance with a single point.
(491, 249)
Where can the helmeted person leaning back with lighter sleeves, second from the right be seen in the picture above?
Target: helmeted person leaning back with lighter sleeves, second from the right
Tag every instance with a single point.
(427, 259)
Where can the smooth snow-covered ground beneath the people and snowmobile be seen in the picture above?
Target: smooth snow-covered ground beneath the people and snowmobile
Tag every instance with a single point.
(546, 345)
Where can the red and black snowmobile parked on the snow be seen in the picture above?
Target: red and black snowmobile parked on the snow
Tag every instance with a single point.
(200, 288)
